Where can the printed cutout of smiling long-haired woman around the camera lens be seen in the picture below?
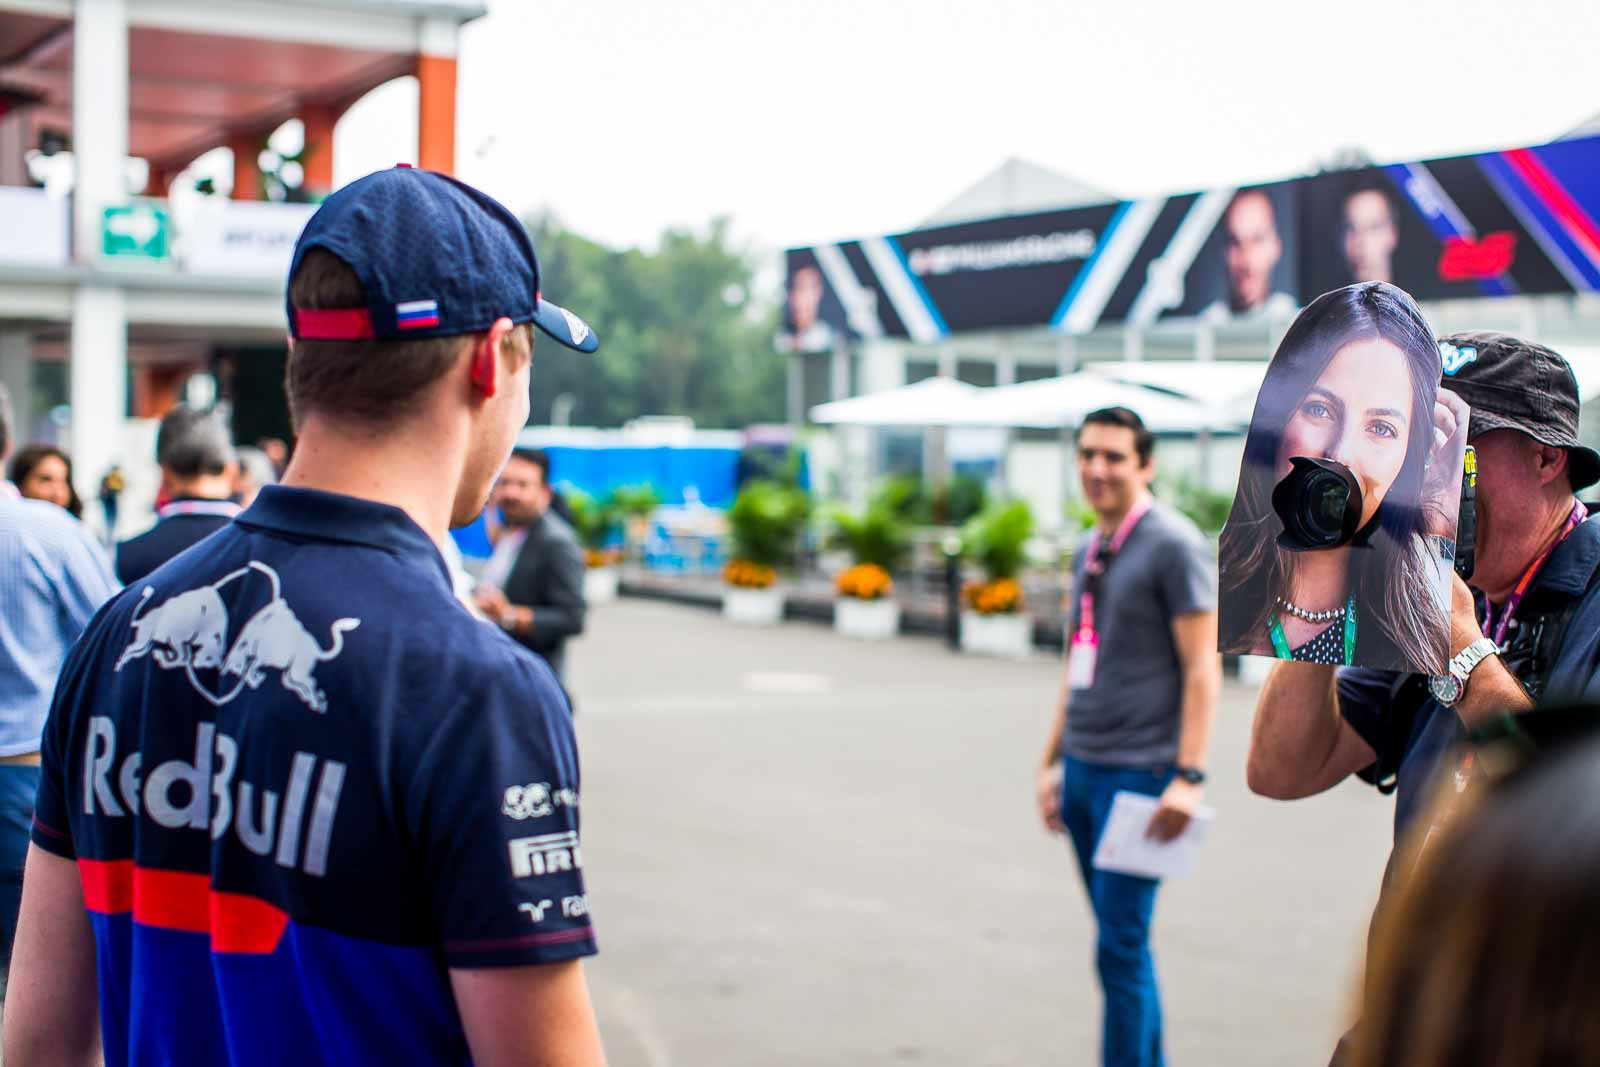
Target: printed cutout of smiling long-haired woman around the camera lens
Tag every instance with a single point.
(1356, 382)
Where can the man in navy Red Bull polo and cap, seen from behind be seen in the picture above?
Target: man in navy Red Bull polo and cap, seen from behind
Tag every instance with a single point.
(297, 805)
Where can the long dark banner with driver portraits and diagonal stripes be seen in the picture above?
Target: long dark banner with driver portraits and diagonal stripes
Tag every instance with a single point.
(1490, 225)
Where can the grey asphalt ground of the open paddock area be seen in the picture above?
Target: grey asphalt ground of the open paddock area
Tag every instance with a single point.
(810, 850)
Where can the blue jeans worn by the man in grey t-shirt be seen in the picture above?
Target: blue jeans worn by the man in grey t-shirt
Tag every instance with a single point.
(1132, 1029)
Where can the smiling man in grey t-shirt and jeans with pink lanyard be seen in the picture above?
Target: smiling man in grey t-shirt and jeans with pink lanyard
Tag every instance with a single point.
(1143, 679)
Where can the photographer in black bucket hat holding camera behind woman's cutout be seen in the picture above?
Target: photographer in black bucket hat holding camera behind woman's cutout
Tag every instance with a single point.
(1532, 631)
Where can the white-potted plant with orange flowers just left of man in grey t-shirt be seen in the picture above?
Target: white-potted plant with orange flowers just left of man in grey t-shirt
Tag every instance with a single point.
(994, 618)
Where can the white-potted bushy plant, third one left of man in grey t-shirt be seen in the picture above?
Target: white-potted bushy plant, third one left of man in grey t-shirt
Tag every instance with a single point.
(764, 527)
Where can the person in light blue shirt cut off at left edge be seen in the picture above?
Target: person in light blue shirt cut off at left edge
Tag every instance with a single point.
(54, 577)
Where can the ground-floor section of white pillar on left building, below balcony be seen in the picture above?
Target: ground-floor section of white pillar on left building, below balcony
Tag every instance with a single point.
(98, 383)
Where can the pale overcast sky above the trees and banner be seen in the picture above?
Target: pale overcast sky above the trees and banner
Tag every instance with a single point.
(836, 119)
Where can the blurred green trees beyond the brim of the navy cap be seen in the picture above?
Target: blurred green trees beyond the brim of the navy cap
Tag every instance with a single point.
(678, 332)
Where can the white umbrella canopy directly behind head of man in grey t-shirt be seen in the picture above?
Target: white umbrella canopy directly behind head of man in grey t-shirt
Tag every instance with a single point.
(1063, 402)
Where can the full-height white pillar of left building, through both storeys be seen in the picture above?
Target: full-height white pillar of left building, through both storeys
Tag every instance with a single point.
(100, 319)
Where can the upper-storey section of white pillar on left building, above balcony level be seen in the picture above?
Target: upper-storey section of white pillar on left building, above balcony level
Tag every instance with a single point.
(100, 118)
